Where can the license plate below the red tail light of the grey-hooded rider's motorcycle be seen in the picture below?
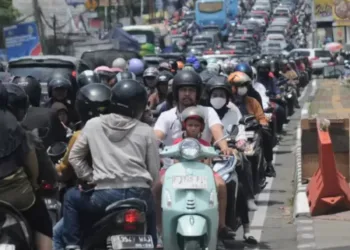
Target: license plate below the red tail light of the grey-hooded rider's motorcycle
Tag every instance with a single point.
(132, 242)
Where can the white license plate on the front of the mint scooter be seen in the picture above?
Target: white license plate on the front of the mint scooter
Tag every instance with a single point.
(190, 182)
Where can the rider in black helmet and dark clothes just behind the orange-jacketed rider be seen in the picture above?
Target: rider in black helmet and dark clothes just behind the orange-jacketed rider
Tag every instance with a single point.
(270, 83)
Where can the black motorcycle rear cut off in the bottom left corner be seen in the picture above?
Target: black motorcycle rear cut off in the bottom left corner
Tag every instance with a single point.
(15, 232)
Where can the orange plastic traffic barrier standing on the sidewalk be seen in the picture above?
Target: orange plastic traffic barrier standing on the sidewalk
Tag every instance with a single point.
(328, 190)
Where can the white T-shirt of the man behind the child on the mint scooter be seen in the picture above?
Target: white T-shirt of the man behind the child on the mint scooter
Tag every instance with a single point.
(169, 123)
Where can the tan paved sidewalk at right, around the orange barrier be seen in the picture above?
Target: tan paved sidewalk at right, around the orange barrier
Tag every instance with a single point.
(331, 100)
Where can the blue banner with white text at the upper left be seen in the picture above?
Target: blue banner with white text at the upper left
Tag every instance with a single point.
(22, 40)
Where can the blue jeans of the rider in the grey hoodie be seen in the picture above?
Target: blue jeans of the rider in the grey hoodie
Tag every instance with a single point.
(88, 207)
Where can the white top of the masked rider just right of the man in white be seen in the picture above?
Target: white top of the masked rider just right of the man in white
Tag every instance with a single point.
(232, 117)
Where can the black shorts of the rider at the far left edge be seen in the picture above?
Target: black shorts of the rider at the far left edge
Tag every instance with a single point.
(38, 218)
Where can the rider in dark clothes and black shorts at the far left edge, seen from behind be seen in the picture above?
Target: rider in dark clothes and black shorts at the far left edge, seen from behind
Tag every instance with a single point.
(19, 166)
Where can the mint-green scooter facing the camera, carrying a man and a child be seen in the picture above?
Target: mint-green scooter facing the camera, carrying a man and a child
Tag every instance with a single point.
(189, 198)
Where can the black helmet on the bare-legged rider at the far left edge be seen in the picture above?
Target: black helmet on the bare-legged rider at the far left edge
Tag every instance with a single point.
(18, 101)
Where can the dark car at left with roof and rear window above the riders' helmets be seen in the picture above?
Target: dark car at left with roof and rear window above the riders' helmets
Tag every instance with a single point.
(44, 67)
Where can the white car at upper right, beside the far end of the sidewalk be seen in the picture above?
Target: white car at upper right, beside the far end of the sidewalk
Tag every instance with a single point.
(318, 58)
